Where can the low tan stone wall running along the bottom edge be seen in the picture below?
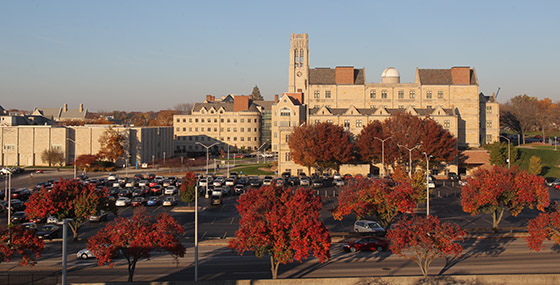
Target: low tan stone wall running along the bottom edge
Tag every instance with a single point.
(533, 279)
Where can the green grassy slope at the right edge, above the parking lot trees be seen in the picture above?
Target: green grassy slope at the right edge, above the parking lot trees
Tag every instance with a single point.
(550, 159)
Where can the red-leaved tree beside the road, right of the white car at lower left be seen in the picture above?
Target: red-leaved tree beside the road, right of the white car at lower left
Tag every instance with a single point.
(135, 238)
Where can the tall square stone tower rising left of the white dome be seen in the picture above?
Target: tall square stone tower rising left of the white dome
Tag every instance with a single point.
(299, 64)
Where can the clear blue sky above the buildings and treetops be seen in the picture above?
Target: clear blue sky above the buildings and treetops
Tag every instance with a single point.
(151, 55)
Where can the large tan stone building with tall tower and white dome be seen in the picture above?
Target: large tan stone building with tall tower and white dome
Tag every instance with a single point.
(342, 96)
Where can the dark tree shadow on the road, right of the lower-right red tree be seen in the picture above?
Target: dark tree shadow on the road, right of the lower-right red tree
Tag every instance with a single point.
(475, 248)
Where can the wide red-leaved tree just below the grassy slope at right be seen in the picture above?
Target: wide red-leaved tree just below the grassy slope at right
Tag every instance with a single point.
(499, 189)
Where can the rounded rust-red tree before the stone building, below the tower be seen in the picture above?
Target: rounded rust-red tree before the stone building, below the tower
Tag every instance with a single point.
(323, 146)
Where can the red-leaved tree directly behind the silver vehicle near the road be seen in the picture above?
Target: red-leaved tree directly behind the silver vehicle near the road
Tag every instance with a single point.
(381, 199)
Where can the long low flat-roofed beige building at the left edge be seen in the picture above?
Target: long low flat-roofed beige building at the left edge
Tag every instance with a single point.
(24, 145)
